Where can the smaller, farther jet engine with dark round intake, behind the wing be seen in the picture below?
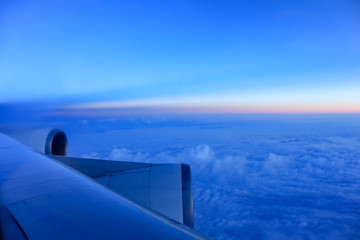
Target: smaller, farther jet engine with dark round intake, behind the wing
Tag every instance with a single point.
(48, 141)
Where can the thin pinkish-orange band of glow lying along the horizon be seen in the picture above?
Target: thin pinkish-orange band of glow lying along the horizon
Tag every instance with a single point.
(137, 108)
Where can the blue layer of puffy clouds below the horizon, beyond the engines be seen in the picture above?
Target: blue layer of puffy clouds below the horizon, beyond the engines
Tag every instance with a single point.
(274, 185)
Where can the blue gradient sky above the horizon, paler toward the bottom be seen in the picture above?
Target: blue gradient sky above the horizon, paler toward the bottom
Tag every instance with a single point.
(239, 53)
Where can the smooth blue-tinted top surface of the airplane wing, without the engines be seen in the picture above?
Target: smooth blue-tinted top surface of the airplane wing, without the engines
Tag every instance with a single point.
(42, 198)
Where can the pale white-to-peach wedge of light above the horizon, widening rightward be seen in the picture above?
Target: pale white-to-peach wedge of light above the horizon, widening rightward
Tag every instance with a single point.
(340, 100)
